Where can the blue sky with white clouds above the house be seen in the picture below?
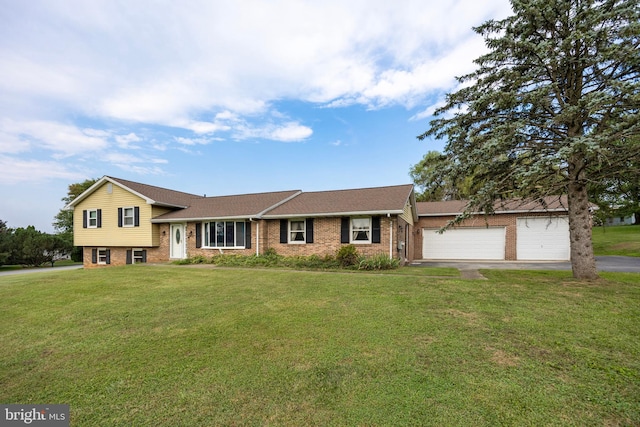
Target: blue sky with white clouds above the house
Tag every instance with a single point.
(218, 97)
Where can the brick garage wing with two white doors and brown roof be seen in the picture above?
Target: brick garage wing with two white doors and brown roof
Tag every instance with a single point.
(519, 230)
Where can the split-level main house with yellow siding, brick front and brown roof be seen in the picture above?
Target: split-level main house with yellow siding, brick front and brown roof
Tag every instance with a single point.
(120, 222)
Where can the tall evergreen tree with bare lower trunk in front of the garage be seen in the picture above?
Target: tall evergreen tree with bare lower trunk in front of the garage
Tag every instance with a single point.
(553, 107)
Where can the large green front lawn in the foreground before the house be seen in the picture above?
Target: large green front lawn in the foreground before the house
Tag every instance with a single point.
(184, 346)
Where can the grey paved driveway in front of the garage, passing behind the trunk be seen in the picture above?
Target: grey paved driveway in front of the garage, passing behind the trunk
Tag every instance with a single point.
(603, 263)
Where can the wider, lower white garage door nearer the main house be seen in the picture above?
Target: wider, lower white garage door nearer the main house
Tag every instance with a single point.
(464, 243)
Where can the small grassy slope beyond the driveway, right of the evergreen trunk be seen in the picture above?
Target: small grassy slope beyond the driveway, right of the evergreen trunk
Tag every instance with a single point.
(617, 240)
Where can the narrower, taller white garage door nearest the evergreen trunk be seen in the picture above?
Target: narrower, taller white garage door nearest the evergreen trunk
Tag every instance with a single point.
(543, 238)
